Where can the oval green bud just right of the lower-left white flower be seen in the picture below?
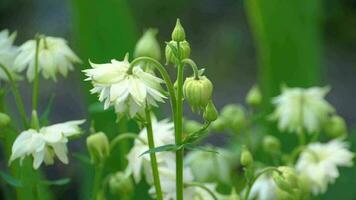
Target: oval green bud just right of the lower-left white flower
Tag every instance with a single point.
(98, 147)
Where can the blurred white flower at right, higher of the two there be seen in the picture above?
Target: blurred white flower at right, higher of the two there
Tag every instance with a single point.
(299, 109)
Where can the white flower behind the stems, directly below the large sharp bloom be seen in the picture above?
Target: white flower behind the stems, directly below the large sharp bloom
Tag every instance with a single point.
(163, 135)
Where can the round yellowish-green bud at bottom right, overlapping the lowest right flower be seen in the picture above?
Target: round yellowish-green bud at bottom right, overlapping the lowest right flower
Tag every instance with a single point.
(286, 179)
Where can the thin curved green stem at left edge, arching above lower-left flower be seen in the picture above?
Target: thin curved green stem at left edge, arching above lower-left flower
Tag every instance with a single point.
(18, 100)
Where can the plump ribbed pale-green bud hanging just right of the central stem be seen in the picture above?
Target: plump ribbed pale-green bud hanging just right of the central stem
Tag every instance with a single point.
(198, 92)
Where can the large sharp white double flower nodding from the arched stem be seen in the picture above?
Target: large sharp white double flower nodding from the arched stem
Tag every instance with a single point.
(128, 91)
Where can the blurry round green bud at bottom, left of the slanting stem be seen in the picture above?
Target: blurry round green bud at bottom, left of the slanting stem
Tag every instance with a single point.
(121, 185)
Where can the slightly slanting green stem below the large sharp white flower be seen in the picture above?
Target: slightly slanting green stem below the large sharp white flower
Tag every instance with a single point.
(153, 158)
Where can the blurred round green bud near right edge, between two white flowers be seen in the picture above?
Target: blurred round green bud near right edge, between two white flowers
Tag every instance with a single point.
(335, 127)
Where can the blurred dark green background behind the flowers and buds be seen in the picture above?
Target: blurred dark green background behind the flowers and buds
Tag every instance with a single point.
(297, 42)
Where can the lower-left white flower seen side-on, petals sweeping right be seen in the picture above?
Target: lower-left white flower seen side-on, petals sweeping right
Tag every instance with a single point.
(45, 144)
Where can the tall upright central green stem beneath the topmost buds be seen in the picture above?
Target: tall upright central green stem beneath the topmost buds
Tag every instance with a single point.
(178, 129)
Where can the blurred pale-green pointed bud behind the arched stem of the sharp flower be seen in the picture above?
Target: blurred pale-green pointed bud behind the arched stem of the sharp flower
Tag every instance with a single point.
(148, 45)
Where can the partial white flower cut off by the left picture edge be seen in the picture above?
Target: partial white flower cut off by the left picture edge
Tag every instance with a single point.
(8, 53)
